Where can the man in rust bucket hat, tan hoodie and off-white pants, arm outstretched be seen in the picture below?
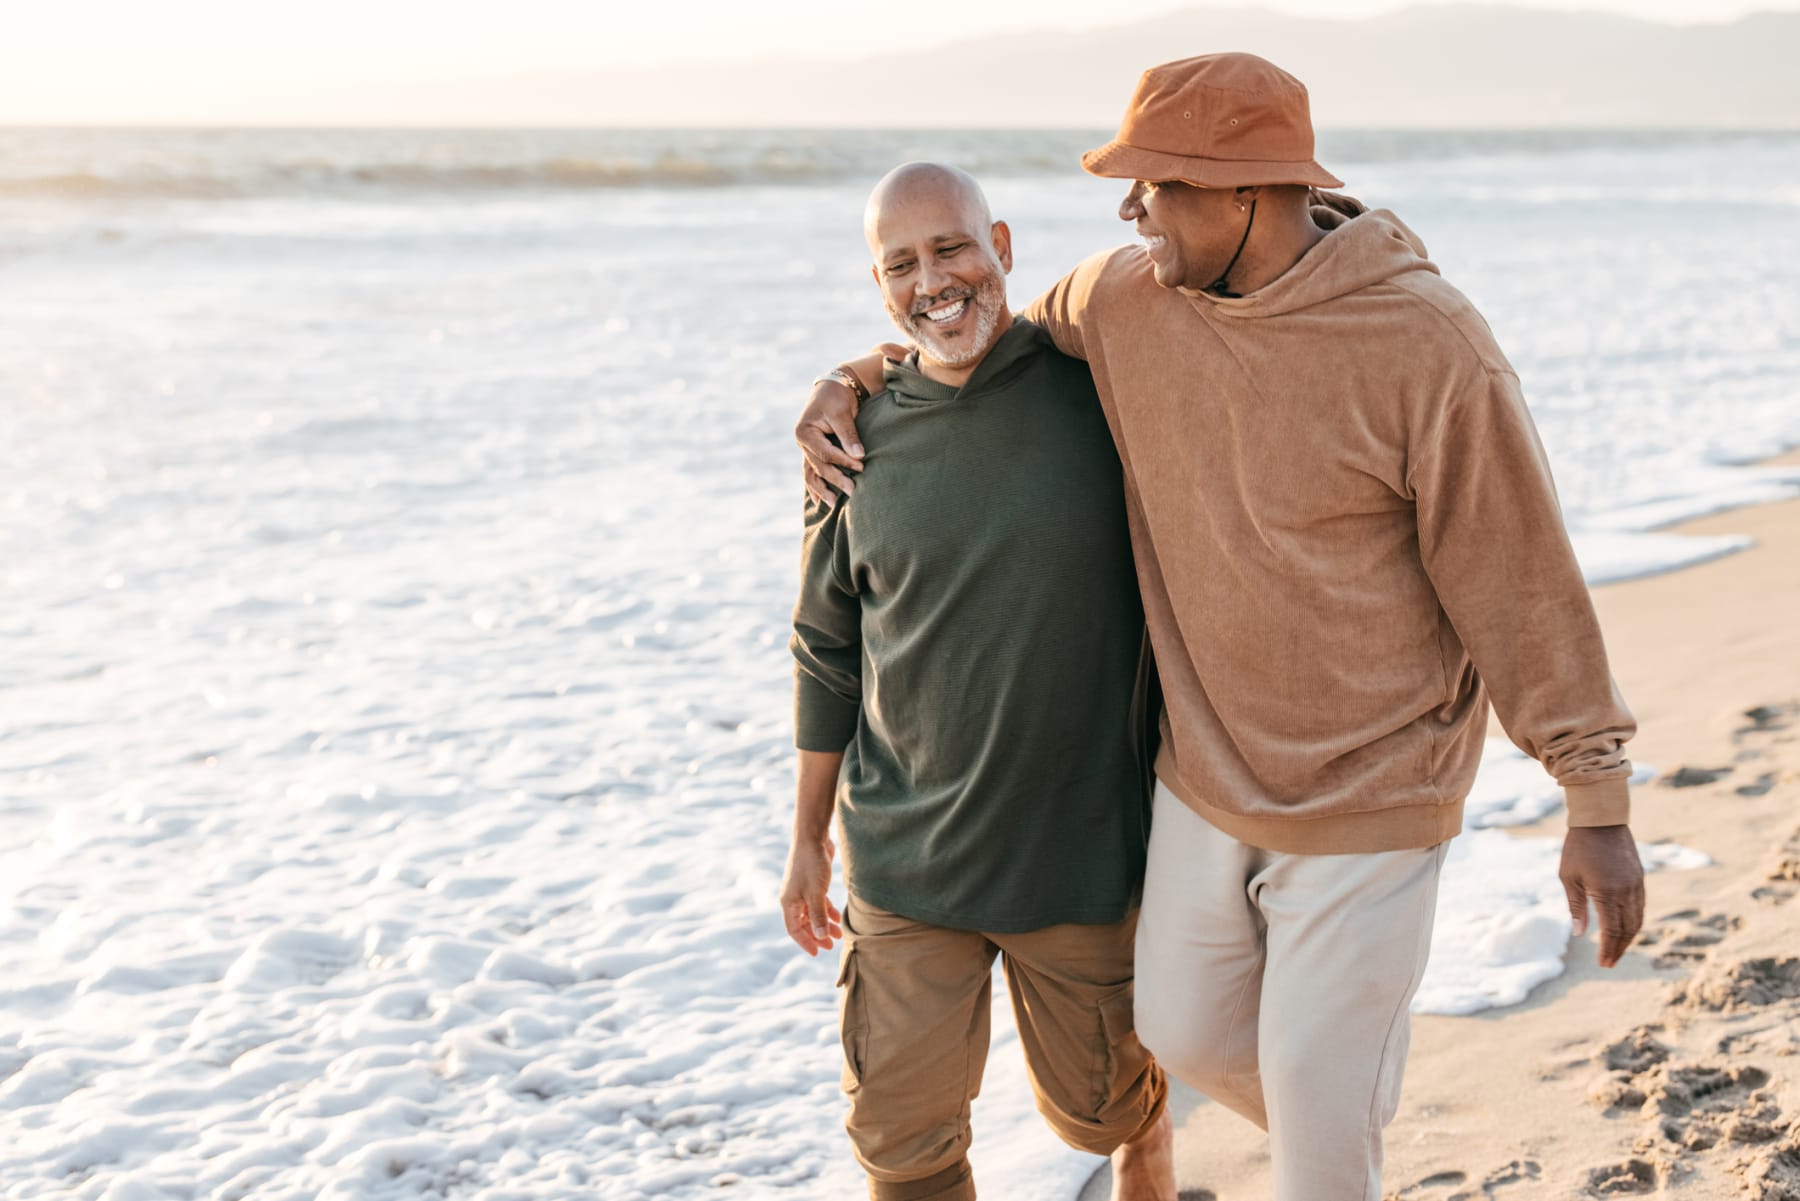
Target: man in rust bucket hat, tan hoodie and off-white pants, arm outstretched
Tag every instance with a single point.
(1347, 543)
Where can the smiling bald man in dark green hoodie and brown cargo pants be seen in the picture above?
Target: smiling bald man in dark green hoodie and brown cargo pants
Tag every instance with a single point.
(969, 705)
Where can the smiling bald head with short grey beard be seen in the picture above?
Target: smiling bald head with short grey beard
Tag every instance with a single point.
(940, 264)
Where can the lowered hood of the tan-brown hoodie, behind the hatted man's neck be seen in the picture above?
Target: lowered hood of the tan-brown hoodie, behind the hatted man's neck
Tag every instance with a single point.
(1360, 251)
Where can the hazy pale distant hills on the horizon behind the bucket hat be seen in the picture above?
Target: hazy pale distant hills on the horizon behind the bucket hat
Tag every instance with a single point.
(1425, 68)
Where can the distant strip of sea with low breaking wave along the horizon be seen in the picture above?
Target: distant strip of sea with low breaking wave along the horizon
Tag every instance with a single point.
(219, 165)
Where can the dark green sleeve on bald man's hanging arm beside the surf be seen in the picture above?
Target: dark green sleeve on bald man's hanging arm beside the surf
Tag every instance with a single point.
(827, 637)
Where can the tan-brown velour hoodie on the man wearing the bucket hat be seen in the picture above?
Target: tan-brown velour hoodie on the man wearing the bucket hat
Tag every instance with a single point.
(1347, 541)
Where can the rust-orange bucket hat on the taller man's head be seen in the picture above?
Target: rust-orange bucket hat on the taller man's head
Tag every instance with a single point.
(1216, 122)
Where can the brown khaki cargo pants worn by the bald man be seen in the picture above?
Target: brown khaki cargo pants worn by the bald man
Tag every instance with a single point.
(915, 1024)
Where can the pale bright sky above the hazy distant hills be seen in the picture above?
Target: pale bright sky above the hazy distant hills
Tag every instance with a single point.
(233, 60)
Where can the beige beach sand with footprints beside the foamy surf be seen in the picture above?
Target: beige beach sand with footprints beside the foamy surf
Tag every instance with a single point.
(1675, 1074)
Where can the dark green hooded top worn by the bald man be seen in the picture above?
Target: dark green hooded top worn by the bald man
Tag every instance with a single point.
(969, 635)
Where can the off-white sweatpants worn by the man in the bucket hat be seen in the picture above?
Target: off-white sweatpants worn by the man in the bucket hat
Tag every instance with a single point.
(1279, 986)
